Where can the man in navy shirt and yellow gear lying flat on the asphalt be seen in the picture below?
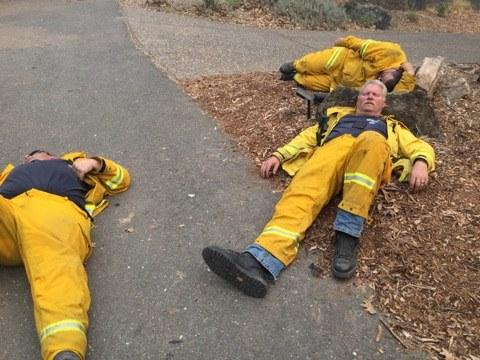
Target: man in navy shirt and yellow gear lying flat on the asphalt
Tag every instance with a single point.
(46, 206)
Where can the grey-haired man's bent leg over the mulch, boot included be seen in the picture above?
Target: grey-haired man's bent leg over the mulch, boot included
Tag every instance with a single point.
(367, 165)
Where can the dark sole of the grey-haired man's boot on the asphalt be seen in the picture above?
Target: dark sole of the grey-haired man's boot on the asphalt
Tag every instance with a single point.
(223, 266)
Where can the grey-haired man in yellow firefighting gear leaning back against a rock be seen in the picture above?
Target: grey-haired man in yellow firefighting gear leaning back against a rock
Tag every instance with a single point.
(353, 155)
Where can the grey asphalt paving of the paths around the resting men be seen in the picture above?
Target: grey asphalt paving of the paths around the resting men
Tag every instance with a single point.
(71, 78)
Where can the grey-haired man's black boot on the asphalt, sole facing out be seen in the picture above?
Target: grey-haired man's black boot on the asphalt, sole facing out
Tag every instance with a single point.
(240, 269)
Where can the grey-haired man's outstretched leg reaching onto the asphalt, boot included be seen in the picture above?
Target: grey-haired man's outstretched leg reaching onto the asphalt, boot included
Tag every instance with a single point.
(277, 246)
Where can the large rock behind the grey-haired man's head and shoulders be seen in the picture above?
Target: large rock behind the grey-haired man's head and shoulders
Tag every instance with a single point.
(412, 108)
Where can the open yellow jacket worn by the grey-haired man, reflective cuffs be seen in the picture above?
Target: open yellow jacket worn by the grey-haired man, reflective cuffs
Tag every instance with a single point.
(405, 147)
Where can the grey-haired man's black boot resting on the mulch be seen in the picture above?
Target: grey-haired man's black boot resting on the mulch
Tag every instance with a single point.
(345, 258)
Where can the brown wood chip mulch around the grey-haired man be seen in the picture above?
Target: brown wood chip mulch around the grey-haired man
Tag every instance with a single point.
(420, 255)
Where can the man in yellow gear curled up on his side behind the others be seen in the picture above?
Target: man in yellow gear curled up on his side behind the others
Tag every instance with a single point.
(351, 62)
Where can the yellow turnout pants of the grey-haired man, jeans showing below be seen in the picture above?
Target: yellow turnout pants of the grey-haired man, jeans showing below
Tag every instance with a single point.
(355, 165)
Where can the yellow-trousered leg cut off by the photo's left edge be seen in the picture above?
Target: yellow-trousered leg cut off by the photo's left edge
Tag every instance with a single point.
(9, 252)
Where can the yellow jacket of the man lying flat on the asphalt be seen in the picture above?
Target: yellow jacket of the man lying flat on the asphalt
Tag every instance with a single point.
(112, 179)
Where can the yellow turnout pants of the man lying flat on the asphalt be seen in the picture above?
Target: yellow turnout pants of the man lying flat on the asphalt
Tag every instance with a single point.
(50, 236)
